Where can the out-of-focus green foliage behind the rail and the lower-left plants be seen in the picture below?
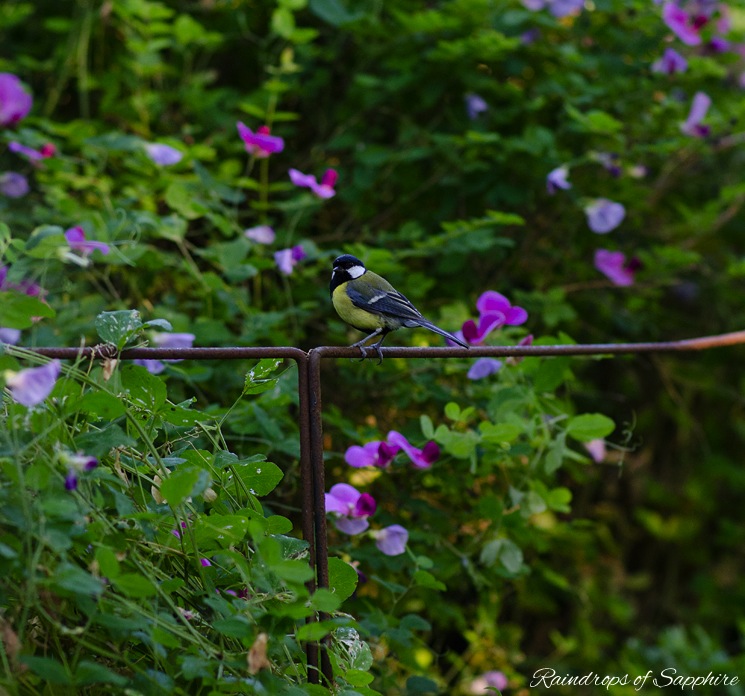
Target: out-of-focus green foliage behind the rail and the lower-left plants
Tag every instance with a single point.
(630, 564)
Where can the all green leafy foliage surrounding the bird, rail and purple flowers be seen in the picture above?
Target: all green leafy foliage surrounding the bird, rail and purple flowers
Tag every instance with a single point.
(525, 550)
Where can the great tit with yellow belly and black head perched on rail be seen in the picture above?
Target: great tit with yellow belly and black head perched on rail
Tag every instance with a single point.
(371, 304)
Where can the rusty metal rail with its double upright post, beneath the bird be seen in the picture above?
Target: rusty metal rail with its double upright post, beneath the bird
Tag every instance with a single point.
(311, 425)
